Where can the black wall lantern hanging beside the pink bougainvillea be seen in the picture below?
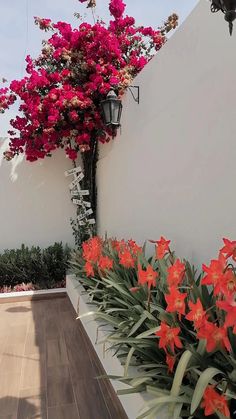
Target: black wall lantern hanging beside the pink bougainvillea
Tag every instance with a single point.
(111, 110)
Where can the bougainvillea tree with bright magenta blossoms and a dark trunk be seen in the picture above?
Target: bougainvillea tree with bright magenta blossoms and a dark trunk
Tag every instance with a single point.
(61, 94)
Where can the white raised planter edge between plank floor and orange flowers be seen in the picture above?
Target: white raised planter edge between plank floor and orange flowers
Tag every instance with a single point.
(132, 403)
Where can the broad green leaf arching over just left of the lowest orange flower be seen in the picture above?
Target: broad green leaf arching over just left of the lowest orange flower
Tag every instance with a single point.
(203, 381)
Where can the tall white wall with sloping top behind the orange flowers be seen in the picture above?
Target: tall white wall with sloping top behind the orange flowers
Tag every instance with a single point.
(173, 169)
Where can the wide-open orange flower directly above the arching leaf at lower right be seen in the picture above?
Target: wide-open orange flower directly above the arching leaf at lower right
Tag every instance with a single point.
(215, 336)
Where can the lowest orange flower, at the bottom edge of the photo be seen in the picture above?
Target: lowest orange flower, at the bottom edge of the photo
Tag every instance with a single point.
(214, 402)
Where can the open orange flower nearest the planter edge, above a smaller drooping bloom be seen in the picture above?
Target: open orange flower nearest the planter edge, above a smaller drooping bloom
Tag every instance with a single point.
(169, 337)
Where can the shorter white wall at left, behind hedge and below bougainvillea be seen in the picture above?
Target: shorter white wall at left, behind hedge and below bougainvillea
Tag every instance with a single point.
(35, 206)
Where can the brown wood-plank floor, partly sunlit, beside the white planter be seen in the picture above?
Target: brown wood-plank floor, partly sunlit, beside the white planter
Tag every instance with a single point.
(48, 367)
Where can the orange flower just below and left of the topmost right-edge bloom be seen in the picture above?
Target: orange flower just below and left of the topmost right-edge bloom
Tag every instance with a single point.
(214, 273)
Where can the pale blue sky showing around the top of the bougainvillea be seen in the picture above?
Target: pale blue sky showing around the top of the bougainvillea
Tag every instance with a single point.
(19, 35)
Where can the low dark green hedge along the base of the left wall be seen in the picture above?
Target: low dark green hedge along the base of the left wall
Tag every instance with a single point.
(43, 267)
